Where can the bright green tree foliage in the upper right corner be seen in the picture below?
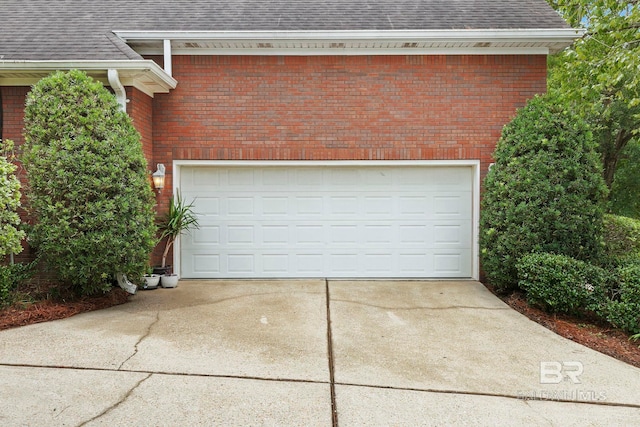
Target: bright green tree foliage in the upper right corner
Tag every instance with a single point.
(599, 76)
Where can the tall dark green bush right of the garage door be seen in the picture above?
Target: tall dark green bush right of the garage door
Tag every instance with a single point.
(545, 192)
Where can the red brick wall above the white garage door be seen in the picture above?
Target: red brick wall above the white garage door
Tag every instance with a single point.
(341, 107)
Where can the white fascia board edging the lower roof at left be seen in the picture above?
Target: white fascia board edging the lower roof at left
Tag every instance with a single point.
(124, 67)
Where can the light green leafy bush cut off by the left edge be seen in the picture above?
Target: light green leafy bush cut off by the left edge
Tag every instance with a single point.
(10, 233)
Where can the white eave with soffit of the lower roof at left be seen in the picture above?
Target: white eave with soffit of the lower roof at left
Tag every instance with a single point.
(145, 75)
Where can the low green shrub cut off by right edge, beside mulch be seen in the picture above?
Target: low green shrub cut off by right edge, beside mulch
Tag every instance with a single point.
(623, 310)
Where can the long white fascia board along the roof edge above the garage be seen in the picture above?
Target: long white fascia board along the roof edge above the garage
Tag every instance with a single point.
(542, 34)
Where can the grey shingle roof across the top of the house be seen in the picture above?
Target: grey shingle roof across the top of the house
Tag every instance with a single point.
(83, 29)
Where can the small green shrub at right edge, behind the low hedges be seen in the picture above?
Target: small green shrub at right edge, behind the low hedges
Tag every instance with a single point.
(621, 239)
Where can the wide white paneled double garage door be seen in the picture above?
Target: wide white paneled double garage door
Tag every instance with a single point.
(329, 221)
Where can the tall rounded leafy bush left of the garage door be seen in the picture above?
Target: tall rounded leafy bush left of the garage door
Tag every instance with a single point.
(89, 185)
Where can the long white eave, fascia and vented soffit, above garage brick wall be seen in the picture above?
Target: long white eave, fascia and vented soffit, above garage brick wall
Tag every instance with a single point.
(478, 42)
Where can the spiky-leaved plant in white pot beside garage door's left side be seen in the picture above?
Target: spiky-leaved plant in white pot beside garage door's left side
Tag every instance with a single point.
(179, 219)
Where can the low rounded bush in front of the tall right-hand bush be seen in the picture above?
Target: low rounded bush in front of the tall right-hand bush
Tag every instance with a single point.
(561, 284)
